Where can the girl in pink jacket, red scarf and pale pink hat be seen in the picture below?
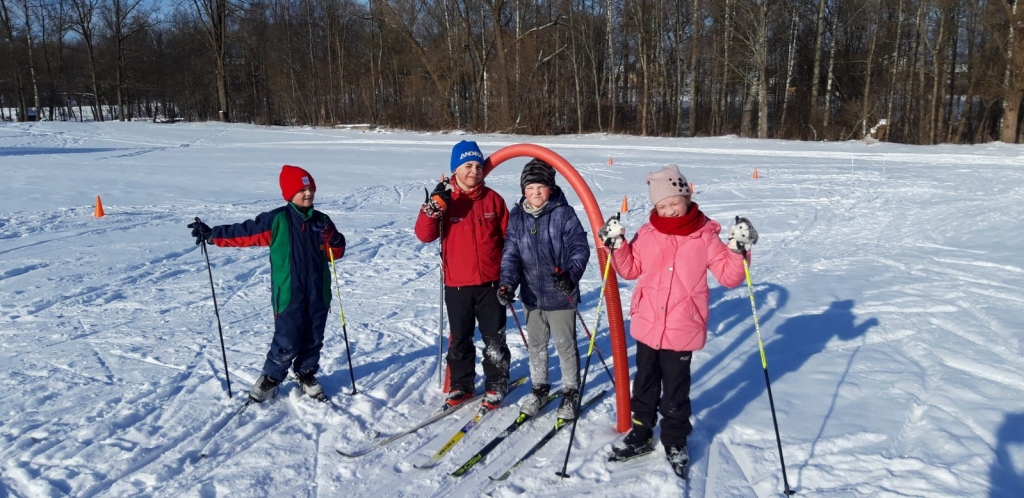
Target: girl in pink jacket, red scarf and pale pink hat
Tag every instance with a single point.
(671, 257)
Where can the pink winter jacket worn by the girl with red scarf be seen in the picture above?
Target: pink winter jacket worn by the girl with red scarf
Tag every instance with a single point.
(669, 310)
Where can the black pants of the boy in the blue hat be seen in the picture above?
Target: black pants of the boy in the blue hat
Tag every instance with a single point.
(467, 308)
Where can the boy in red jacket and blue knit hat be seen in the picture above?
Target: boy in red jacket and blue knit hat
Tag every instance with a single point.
(471, 220)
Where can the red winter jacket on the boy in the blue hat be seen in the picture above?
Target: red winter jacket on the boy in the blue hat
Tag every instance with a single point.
(475, 236)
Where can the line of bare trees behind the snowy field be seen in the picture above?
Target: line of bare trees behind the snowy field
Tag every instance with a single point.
(909, 71)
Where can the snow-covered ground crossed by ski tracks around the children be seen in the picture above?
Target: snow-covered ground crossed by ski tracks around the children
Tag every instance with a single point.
(889, 282)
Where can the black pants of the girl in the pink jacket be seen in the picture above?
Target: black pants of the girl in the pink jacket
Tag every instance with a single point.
(663, 384)
